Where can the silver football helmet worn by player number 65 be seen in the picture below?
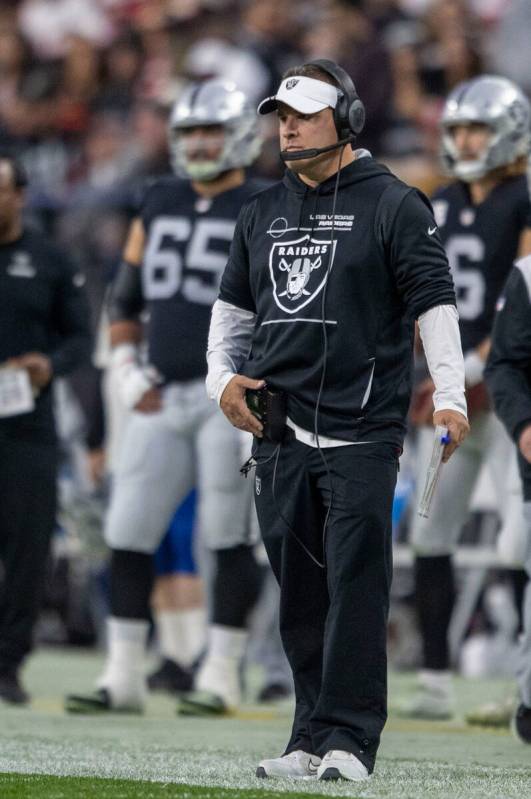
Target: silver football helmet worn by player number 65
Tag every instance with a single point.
(214, 102)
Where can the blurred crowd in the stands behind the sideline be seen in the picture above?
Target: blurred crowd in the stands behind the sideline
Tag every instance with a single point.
(86, 86)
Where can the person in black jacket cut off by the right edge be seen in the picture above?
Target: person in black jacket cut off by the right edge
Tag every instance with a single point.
(508, 376)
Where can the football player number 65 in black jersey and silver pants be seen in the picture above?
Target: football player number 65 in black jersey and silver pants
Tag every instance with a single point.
(176, 438)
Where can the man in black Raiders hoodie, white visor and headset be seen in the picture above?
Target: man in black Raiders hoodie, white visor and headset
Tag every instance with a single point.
(327, 273)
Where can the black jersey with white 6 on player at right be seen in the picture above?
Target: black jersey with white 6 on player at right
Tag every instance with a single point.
(481, 243)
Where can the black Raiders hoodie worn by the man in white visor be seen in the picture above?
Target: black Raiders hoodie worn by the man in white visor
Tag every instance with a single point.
(364, 276)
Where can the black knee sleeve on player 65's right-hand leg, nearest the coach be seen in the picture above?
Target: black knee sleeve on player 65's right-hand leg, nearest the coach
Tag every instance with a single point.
(237, 585)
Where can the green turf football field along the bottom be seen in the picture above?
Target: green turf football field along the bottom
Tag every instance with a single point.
(44, 753)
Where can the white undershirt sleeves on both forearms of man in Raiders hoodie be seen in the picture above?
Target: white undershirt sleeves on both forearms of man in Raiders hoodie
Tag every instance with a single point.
(231, 332)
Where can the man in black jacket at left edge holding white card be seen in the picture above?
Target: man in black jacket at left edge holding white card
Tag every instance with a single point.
(44, 332)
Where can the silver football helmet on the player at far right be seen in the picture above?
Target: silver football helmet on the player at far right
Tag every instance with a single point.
(495, 102)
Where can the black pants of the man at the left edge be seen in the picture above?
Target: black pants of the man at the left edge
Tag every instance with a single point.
(27, 515)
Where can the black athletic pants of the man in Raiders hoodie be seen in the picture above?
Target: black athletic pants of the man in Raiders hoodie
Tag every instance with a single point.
(332, 621)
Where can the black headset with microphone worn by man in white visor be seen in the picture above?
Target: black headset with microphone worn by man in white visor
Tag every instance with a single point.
(349, 113)
